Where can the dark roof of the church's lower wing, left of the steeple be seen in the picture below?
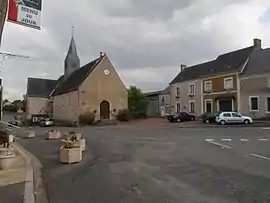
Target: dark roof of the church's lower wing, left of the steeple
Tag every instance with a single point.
(39, 87)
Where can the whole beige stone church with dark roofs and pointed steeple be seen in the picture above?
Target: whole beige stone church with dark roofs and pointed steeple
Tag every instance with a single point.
(95, 87)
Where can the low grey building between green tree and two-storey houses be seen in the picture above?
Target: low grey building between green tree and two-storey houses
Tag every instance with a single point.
(158, 103)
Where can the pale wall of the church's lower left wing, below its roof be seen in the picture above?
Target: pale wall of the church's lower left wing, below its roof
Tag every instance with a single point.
(36, 105)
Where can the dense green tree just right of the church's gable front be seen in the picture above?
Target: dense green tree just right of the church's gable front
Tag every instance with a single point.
(137, 102)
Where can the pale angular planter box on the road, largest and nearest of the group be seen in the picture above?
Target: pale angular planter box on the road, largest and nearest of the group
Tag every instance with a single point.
(68, 156)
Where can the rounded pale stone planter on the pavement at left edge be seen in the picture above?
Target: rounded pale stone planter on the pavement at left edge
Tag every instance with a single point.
(7, 159)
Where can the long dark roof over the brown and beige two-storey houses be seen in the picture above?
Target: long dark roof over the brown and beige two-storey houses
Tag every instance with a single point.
(225, 63)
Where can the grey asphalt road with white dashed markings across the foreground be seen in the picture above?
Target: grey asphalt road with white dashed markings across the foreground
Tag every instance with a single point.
(151, 164)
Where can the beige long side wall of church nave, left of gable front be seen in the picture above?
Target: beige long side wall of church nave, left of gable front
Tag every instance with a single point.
(65, 106)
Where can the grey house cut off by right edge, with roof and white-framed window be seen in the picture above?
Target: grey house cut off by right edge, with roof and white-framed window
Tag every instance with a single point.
(255, 85)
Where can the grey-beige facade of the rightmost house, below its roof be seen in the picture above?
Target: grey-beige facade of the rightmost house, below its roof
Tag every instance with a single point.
(257, 85)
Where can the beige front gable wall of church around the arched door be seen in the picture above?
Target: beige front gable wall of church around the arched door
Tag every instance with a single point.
(98, 87)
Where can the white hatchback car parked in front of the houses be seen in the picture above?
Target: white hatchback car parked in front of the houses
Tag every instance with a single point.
(232, 118)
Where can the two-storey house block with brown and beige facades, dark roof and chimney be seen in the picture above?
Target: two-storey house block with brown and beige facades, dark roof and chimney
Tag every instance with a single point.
(211, 86)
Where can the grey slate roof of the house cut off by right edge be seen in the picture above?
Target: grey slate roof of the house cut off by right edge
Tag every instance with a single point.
(258, 63)
